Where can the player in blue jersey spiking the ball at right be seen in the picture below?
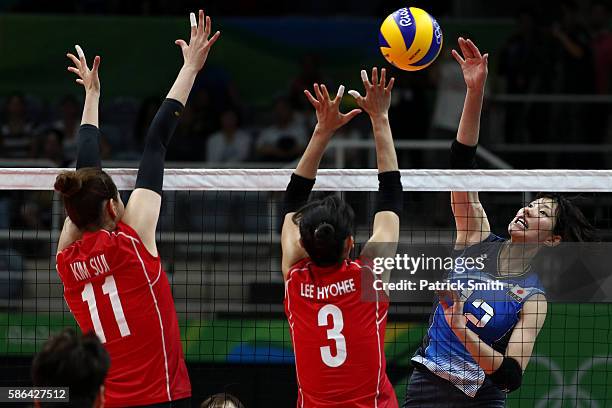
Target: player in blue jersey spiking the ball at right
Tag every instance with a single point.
(479, 341)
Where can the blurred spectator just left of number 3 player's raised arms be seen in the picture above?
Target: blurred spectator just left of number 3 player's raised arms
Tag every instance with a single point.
(286, 138)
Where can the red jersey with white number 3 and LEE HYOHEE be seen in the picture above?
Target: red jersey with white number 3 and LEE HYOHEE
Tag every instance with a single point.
(338, 338)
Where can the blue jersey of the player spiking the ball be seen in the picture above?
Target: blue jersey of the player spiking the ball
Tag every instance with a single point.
(492, 307)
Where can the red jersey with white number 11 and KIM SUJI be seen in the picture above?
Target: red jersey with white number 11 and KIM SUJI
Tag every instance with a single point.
(115, 287)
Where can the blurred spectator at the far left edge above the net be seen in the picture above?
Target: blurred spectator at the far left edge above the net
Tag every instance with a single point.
(16, 132)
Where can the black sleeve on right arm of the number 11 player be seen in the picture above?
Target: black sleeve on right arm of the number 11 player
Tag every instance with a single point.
(151, 169)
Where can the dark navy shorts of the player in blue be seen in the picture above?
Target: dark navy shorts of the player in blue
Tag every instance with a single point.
(427, 390)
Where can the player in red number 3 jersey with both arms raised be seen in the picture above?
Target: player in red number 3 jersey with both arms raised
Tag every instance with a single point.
(337, 334)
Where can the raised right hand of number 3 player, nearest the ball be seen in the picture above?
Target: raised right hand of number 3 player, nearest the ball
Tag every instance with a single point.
(378, 93)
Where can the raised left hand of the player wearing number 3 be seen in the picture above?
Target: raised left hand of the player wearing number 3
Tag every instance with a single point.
(329, 118)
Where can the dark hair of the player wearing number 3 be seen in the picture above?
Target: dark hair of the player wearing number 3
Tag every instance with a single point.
(324, 227)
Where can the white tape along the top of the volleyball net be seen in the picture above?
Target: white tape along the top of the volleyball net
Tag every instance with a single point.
(337, 180)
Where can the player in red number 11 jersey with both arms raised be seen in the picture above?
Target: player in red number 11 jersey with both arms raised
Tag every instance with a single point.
(107, 258)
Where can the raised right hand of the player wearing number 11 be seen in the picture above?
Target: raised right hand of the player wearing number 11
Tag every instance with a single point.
(196, 52)
